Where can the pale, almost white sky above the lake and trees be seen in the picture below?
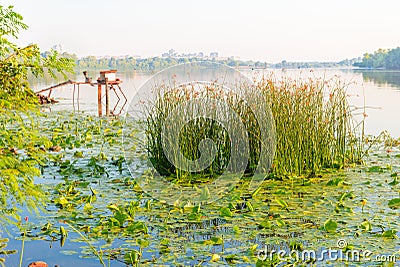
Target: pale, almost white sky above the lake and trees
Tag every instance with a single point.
(271, 31)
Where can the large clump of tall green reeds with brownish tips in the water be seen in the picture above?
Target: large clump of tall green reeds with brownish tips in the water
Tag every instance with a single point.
(312, 120)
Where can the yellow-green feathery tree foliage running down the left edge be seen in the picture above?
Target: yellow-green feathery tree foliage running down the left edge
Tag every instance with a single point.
(20, 143)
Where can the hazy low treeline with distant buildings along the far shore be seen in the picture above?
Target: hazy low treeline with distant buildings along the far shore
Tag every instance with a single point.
(128, 63)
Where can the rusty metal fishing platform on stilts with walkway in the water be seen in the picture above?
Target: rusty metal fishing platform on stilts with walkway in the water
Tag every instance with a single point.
(107, 79)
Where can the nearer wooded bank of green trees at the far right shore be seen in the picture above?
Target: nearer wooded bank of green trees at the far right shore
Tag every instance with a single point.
(388, 59)
